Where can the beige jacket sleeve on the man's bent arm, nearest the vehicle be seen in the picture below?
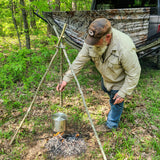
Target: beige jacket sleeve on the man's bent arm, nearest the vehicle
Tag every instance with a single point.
(132, 69)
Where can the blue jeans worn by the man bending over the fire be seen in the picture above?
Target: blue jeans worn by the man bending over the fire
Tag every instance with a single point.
(116, 110)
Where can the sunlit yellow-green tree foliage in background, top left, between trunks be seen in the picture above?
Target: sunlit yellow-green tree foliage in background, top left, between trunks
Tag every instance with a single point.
(7, 28)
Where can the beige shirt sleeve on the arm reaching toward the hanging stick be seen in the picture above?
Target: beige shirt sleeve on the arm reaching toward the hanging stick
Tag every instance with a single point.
(82, 58)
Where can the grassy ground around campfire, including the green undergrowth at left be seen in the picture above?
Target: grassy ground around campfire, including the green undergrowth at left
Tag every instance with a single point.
(138, 135)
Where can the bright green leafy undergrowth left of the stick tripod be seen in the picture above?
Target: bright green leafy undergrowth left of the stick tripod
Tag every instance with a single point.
(23, 66)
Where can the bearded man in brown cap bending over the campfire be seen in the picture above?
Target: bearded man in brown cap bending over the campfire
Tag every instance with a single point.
(114, 55)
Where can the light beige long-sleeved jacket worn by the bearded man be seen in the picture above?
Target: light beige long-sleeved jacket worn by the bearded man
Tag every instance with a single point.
(120, 68)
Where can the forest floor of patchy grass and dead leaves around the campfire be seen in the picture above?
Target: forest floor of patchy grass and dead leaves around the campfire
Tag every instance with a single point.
(136, 138)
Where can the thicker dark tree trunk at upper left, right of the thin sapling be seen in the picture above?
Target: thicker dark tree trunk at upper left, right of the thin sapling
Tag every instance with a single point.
(26, 29)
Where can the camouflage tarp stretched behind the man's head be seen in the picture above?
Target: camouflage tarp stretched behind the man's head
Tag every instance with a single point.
(132, 21)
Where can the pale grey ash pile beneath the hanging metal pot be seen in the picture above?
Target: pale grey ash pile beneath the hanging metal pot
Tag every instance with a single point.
(64, 146)
